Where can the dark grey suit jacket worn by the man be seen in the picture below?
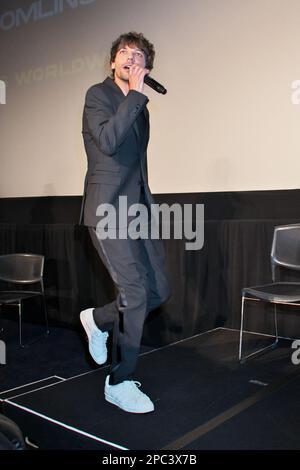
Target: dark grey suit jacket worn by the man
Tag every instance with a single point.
(116, 134)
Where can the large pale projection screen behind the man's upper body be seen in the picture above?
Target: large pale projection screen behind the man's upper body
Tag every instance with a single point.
(227, 122)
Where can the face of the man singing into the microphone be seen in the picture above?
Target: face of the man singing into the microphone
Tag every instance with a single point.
(125, 58)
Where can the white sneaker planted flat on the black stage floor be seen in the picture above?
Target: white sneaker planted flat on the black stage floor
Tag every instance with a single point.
(128, 397)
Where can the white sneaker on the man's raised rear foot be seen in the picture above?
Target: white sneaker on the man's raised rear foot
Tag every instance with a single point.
(97, 338)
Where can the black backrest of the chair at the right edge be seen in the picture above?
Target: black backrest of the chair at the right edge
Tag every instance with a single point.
(286, 247)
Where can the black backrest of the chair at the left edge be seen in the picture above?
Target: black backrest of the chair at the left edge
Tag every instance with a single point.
(21, 268)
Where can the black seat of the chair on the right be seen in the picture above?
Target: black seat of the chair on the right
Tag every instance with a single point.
(275, 292)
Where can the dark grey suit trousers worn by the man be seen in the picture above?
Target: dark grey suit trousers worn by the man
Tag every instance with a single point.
(137, 268)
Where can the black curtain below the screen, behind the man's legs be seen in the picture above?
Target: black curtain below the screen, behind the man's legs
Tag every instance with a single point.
(206, 284)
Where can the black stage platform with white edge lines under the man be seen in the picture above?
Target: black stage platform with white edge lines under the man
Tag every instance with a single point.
(204, 399)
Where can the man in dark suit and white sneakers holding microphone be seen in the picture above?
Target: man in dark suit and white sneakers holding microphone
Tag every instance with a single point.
(116, 133)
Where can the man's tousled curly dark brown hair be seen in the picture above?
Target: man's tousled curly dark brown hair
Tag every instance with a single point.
(137, 40)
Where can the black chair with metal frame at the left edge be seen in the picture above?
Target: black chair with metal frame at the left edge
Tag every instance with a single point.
(22, 269)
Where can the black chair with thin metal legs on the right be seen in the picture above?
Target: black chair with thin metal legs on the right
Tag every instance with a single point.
(285, 253)
